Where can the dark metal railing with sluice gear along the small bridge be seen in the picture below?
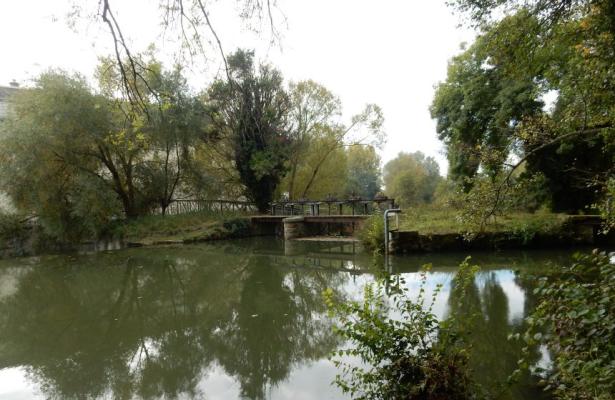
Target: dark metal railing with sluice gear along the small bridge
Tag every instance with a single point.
(356, 206)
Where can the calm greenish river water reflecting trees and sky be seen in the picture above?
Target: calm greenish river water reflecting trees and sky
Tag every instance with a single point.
(240, 319)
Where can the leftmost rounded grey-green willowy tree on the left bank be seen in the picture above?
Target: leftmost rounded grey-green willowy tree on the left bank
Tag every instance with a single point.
(50, 155)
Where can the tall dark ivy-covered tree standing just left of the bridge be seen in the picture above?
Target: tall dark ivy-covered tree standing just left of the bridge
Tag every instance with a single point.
(252, 107)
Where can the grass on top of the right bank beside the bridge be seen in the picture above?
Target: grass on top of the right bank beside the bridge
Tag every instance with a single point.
(429, 220)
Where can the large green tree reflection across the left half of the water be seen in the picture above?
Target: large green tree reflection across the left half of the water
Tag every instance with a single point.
(150, 323)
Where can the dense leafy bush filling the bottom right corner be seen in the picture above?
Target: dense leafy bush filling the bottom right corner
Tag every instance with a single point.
(575, 319)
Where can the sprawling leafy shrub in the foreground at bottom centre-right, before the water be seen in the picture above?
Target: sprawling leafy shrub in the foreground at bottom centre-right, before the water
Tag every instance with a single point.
(408, 354)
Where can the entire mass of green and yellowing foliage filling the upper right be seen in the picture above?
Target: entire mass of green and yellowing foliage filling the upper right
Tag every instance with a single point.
(490, 112)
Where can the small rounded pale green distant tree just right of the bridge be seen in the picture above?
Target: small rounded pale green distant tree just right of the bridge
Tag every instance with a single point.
(412, 178)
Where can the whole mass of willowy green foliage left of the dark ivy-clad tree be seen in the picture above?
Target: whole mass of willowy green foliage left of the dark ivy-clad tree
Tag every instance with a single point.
(79, 160)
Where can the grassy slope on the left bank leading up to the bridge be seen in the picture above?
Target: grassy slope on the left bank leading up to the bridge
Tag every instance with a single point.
(175, 228)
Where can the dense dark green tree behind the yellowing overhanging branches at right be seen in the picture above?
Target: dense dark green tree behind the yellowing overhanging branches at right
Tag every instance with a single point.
(477, 110)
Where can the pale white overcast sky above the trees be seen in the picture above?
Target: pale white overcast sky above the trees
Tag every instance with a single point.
(388, 52)
